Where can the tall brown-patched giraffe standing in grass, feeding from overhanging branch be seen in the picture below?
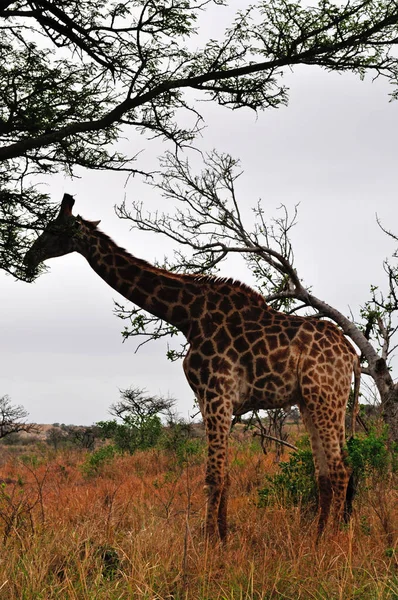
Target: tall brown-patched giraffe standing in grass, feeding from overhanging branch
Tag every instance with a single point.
(243, 355)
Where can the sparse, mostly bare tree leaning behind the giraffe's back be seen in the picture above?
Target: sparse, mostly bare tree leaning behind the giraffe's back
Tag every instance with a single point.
(208, 226)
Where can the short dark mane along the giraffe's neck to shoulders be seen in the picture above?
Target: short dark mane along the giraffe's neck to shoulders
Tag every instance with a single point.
(188, 277)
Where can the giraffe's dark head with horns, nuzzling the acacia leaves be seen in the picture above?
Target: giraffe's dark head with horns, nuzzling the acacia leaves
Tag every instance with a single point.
(60, 237)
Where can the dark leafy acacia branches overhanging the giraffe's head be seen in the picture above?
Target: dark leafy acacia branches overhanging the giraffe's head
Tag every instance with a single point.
(75, 76)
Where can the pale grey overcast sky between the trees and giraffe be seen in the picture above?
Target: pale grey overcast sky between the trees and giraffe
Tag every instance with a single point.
(333, 150)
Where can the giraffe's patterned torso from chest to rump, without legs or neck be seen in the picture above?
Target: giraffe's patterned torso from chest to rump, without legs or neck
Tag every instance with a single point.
(259, 358)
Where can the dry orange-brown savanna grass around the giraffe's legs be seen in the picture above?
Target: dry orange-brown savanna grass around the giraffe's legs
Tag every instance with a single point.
(130, 527)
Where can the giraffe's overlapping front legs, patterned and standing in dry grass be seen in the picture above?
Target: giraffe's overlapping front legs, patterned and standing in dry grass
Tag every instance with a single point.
(217, 418)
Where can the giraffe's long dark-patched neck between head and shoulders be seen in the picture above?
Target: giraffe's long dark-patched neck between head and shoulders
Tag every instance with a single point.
(166, 295)
